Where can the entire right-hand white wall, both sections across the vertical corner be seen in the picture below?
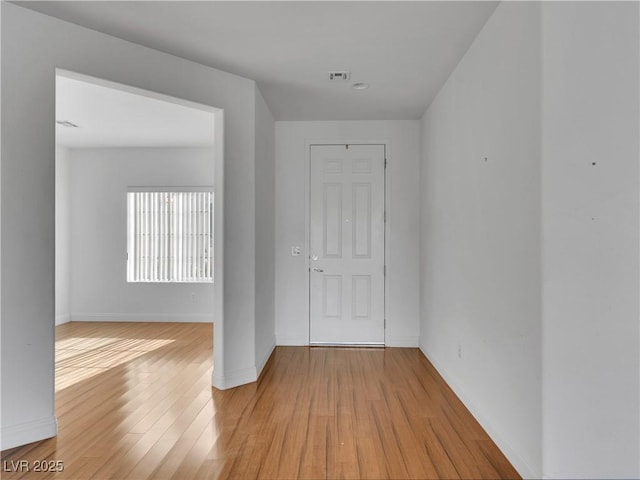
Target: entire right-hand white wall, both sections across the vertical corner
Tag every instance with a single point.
(530, 259)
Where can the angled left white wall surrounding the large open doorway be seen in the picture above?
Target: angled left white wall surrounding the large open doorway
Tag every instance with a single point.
(33, 46)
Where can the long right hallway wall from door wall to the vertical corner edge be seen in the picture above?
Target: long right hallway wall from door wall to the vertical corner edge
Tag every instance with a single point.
(480, 241)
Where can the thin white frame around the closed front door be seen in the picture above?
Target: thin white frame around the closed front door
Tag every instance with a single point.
(307, 217)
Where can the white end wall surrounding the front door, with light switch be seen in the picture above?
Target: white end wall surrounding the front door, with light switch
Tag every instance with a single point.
(403, 145)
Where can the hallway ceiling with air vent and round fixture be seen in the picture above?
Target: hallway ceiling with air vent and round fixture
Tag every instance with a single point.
(405, 50)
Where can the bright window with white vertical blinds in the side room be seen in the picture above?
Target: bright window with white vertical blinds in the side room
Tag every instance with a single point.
(170, 236)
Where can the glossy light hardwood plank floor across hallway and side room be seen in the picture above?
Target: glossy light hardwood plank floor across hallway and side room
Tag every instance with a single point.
(134, 401)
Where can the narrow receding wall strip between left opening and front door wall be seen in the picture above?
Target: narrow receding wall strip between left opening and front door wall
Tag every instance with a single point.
(265, 232)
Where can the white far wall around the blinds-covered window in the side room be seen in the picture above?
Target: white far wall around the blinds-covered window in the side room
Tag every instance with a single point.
(99, 181)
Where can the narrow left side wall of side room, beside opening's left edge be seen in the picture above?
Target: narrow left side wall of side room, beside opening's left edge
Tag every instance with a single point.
(63, 237)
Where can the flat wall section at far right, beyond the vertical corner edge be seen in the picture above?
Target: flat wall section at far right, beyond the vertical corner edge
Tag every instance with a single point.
(590, 191)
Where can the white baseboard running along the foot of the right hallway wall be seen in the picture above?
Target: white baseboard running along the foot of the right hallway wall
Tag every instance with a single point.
(516, 460)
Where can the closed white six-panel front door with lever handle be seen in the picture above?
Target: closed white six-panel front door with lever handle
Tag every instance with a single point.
(347, 244)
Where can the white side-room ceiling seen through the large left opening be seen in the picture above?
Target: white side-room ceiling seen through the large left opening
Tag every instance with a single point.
(112, 117)
